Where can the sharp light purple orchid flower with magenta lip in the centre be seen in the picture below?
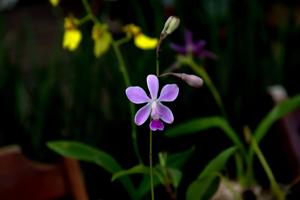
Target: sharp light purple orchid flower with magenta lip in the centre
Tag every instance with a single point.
(154, 106)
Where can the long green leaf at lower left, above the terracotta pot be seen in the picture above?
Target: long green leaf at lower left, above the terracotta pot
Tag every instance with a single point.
(84, 152)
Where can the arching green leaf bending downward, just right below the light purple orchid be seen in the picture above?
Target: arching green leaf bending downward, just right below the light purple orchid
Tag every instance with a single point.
(202, 124)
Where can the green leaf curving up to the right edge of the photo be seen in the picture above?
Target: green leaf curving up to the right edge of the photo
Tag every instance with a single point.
(276, 113)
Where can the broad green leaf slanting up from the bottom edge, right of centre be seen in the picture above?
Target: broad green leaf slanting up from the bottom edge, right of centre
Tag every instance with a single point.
(198, 189)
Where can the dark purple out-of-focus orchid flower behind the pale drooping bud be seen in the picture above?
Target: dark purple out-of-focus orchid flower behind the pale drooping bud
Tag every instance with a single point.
(190, 47)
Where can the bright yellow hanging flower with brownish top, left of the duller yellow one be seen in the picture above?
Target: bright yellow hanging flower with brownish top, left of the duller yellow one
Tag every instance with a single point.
(72, 36)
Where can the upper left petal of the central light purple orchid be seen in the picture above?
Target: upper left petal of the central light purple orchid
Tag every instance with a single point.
(137, 95)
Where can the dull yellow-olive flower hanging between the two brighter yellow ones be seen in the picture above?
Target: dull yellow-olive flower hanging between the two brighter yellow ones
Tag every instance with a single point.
(102, 39)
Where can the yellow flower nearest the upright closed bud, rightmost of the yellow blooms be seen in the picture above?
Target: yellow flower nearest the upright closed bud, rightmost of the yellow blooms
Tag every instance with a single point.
(140, 40)
